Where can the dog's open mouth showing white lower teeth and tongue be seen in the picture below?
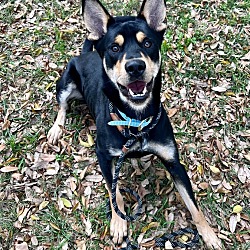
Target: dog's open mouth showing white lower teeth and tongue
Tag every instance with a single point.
(137, 90)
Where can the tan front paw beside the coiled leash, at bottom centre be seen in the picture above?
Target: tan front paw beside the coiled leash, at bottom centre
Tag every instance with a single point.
(118, 229)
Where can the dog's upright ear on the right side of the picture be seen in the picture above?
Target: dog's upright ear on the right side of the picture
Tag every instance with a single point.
(154, 12)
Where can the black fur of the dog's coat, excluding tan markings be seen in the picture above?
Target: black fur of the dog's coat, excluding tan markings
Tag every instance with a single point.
(87, 73)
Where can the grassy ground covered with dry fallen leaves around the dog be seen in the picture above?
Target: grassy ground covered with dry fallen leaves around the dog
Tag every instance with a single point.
(54, 197)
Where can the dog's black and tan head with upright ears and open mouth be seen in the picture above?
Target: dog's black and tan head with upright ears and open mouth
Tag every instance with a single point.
(129, 47)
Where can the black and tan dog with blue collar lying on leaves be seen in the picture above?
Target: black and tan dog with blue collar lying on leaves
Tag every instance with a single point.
(125, 69)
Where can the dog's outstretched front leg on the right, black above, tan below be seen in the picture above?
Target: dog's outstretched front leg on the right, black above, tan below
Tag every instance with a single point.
(184, 187)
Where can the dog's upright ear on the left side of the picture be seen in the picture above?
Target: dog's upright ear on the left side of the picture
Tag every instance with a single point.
(96, 18)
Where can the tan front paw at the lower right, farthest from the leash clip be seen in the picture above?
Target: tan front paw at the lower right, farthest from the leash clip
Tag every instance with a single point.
(210, 238)
